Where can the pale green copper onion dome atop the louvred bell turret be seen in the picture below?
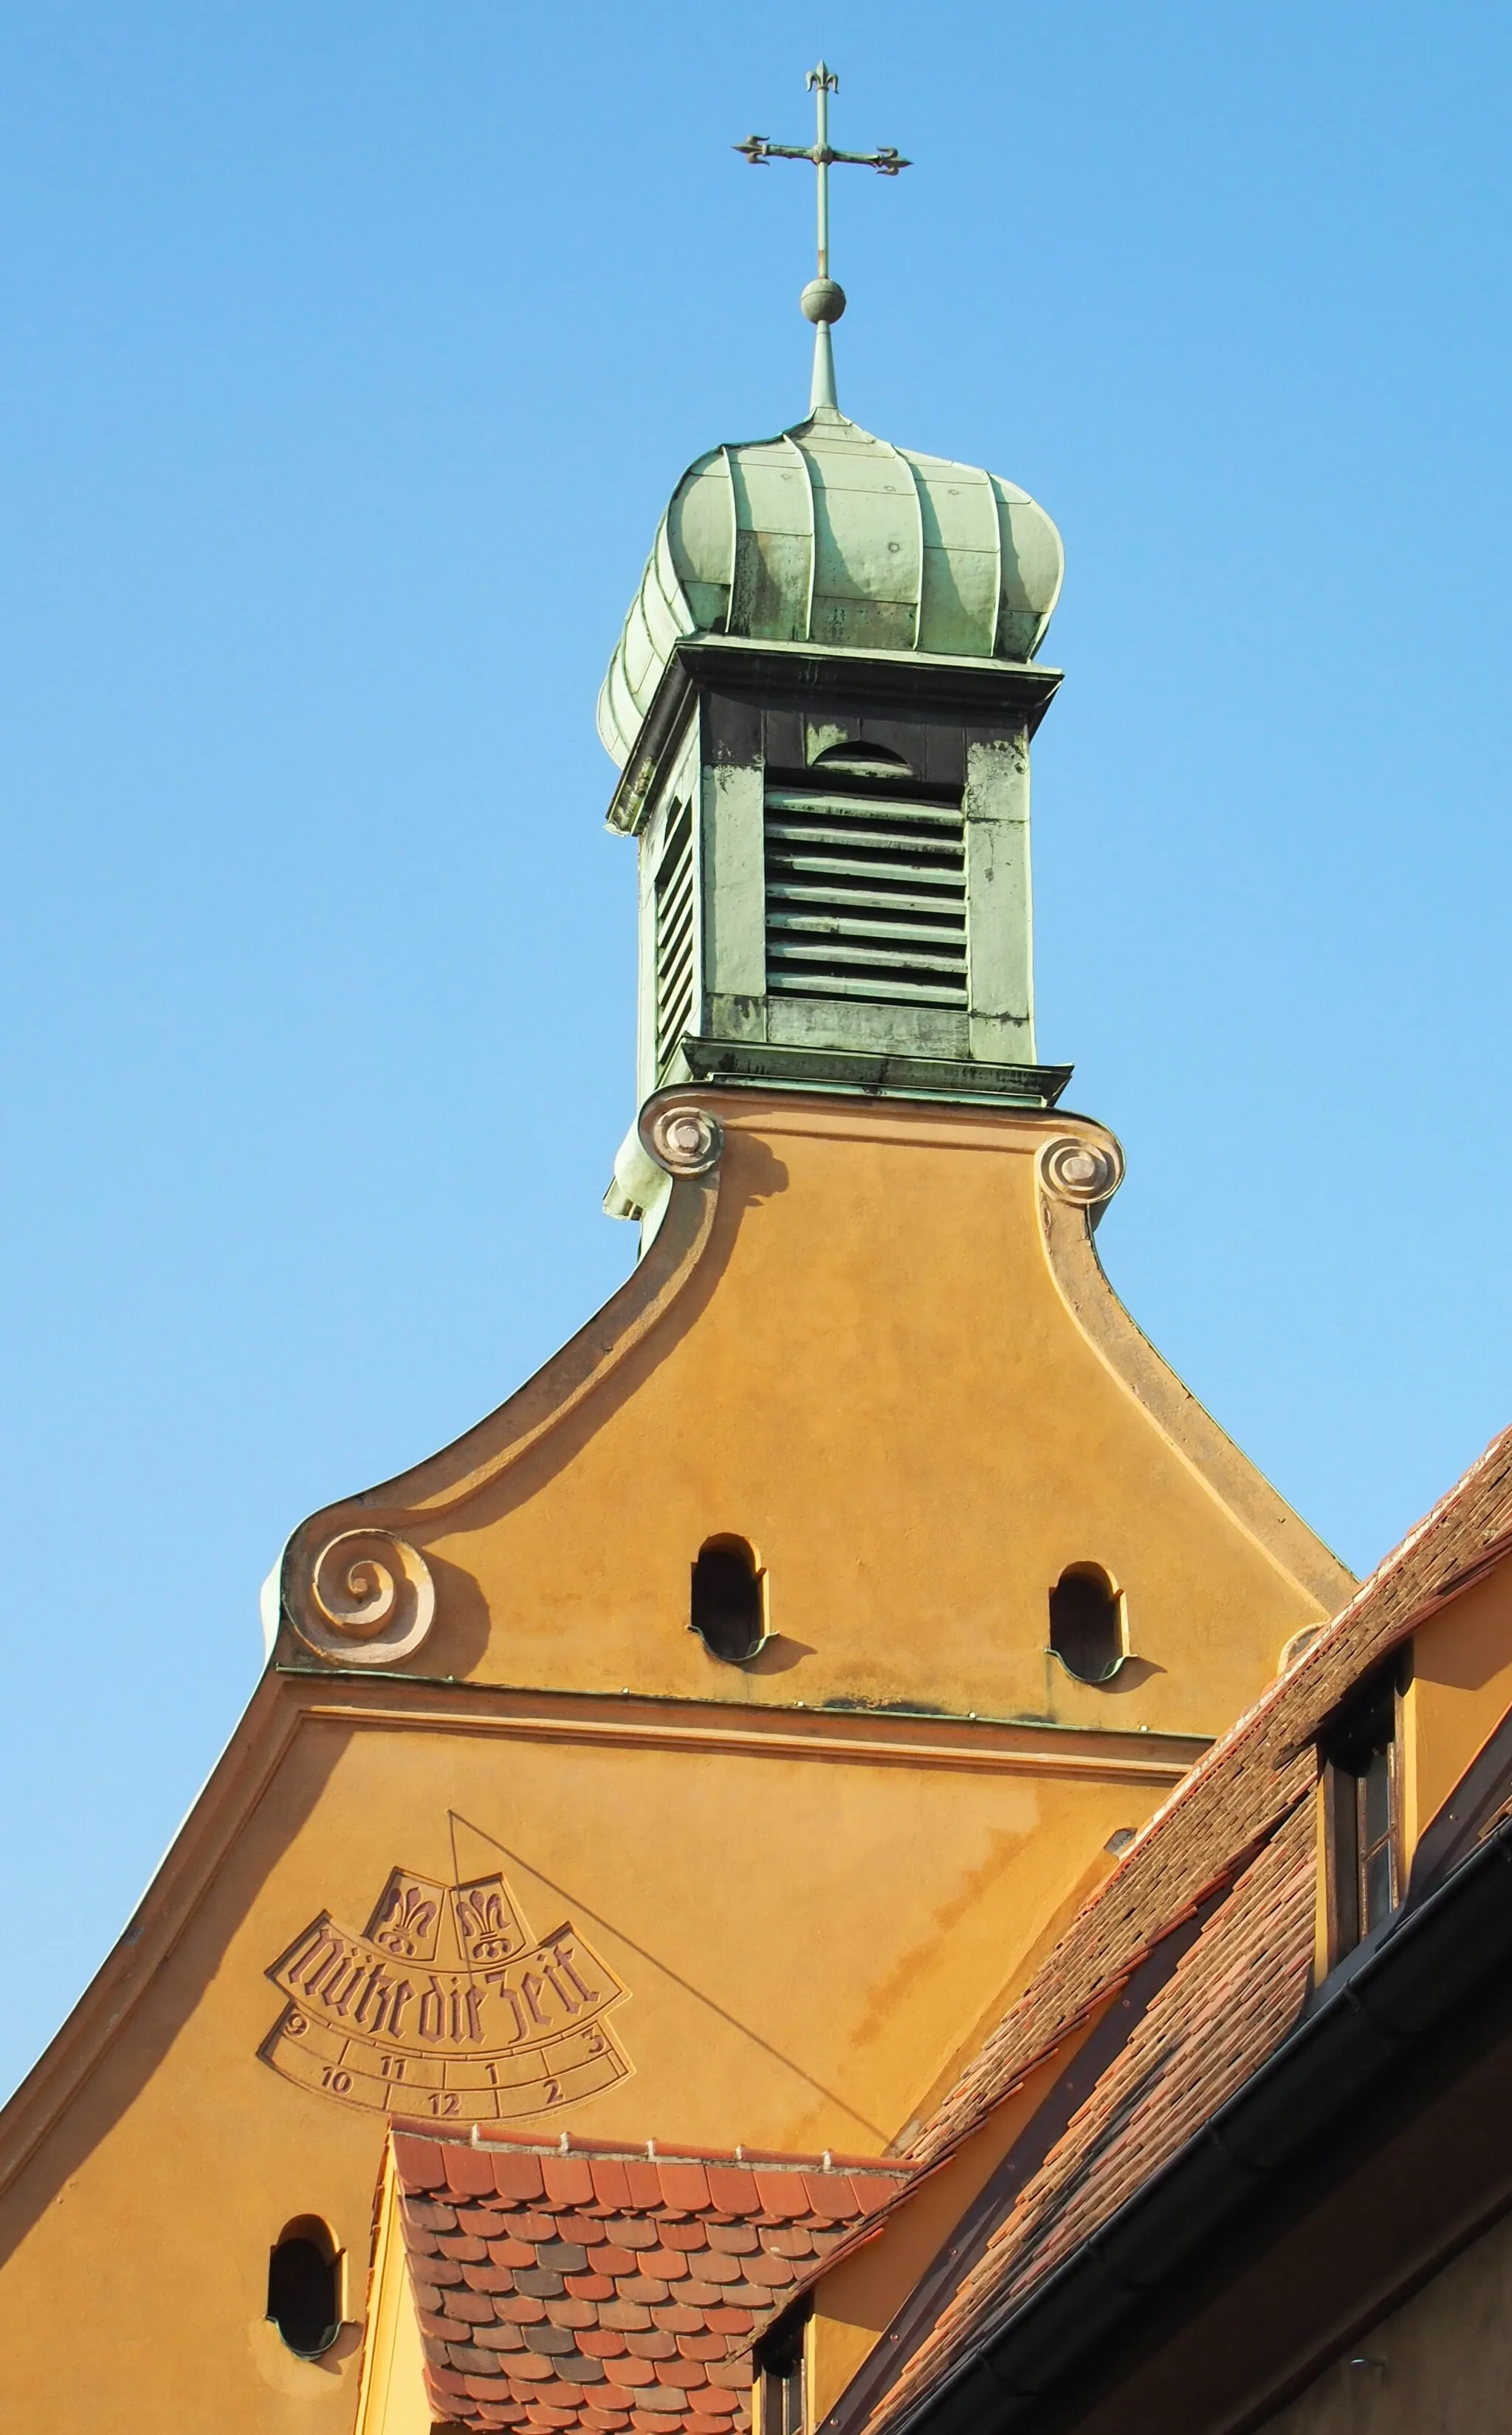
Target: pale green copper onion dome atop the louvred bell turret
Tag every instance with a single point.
(834, 537)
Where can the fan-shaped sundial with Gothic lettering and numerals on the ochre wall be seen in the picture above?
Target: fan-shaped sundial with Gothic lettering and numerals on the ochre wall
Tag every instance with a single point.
(444, 2005)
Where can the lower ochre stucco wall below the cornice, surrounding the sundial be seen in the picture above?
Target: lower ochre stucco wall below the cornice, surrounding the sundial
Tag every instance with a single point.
(802, 1939)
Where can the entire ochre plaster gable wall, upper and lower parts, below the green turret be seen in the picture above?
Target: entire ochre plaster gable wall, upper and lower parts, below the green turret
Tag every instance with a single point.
(500, 1842)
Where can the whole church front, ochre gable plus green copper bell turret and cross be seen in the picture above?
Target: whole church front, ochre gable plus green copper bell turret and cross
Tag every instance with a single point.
(707, 1745)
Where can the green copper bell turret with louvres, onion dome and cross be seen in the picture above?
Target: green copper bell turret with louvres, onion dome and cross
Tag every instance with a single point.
(822, 702)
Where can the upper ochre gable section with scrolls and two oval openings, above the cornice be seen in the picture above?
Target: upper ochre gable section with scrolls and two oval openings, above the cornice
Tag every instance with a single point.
(883, 1353)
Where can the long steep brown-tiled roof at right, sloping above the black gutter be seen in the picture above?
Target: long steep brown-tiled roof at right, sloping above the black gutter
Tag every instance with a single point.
(1241, 1823)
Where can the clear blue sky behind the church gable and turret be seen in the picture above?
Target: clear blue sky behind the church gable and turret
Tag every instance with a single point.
(352, 357)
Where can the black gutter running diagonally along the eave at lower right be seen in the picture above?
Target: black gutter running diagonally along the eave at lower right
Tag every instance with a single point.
(1377, 2010)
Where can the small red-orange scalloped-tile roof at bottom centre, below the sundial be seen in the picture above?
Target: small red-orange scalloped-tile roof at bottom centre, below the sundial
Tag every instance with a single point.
(593, 2288)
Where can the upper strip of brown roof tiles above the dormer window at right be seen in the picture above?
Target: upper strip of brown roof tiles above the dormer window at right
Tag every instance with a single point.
(1236, 1796)
